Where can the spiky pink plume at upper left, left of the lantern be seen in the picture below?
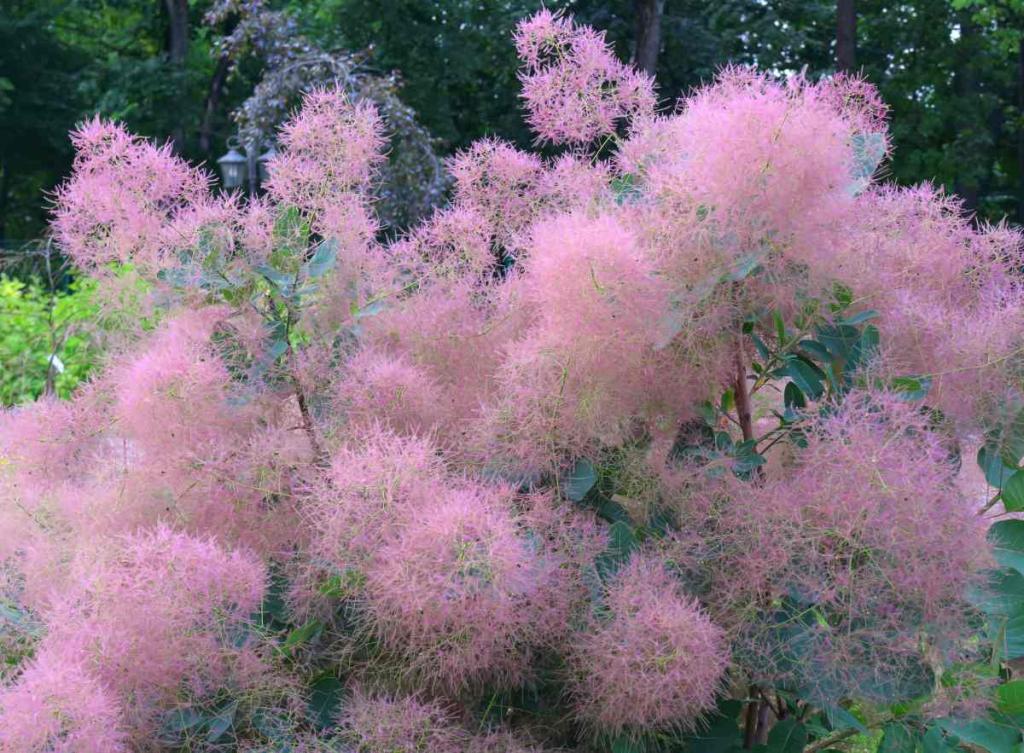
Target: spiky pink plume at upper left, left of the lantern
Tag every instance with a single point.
(122, 198)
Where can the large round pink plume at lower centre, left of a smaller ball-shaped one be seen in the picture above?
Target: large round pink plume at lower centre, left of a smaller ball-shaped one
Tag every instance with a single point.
(462, 596)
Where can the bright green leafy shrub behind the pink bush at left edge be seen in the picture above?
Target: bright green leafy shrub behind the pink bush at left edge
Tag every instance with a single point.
(36, 325)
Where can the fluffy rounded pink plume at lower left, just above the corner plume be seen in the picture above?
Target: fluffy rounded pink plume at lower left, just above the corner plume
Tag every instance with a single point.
(154, 614)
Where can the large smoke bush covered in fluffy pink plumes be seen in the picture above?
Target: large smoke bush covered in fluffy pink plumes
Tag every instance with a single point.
(655, 443)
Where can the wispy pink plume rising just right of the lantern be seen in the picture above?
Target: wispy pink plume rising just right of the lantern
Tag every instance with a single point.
(332, 148)
